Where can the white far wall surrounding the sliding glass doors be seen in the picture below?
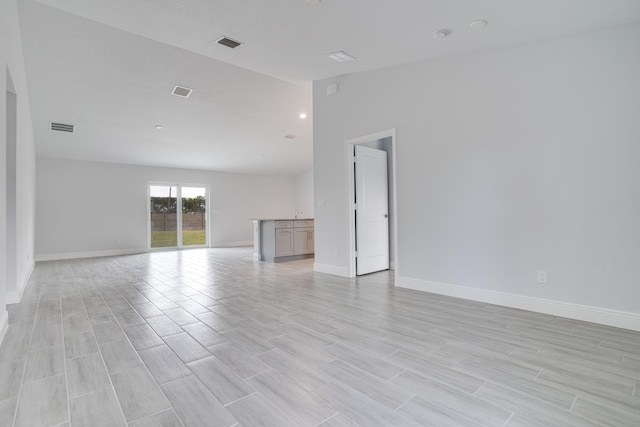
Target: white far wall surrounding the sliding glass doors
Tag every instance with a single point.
(87, 208)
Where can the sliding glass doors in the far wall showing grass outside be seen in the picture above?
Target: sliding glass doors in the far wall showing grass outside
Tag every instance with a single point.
(178, 216)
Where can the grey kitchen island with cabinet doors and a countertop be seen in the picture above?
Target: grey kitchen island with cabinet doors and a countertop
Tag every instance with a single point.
(283, 239)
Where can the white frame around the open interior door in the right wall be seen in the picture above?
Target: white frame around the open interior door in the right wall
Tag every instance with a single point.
(351, 188)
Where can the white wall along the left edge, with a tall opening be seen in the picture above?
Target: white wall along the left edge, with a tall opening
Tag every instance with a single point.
(12, 73)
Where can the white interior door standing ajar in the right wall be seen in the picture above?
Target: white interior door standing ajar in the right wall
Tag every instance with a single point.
(372, 210)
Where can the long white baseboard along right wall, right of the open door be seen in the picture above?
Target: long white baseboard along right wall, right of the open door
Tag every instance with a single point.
(604, 316)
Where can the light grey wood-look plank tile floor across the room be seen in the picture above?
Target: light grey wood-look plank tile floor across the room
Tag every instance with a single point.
(211, 338)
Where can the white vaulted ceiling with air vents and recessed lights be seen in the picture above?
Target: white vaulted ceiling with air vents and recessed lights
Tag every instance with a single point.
(109, 66)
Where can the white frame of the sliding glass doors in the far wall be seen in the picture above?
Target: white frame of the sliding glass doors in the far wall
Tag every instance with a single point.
(207, 217)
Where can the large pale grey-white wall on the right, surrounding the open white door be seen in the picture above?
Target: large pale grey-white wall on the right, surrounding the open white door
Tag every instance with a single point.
(508, 161)
